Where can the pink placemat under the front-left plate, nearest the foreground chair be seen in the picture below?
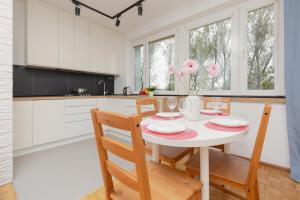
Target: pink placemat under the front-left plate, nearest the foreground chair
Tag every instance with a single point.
(183, 135)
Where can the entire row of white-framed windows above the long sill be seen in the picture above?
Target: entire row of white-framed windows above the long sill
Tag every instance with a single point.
(239, 51)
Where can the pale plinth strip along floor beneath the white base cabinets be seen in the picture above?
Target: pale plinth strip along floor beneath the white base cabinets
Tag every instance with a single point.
(37, 148)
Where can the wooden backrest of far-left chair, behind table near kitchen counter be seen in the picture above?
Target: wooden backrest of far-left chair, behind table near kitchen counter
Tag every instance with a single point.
(146, 102)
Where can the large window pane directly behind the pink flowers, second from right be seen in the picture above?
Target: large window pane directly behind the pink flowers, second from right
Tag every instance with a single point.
(211, 45)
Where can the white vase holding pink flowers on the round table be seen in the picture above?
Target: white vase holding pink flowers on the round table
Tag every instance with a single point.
(193, 108)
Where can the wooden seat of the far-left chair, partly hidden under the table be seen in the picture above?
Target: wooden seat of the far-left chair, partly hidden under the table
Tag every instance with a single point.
(167, 153)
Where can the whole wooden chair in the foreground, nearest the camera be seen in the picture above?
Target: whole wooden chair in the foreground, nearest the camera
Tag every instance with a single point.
(149, 180)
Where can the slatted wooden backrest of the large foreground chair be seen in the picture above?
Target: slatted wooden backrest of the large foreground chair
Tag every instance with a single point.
(135, 154)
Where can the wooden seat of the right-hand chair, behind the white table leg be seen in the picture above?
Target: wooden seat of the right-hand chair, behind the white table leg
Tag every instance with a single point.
(223, 166)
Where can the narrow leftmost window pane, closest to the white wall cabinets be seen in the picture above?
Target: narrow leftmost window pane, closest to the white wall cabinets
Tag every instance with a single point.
(139, 67)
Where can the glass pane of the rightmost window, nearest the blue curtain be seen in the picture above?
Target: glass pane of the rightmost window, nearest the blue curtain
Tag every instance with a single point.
(260, 48)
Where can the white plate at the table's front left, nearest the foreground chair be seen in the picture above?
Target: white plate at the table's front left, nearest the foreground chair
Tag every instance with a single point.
(166, 128)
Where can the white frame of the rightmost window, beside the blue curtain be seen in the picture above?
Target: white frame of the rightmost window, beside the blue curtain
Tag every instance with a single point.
(278, 51)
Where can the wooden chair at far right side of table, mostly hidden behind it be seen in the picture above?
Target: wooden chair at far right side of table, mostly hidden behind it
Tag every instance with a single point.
(226, 109)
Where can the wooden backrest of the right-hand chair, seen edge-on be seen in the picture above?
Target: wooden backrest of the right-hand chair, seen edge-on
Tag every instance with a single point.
(259, 143)
